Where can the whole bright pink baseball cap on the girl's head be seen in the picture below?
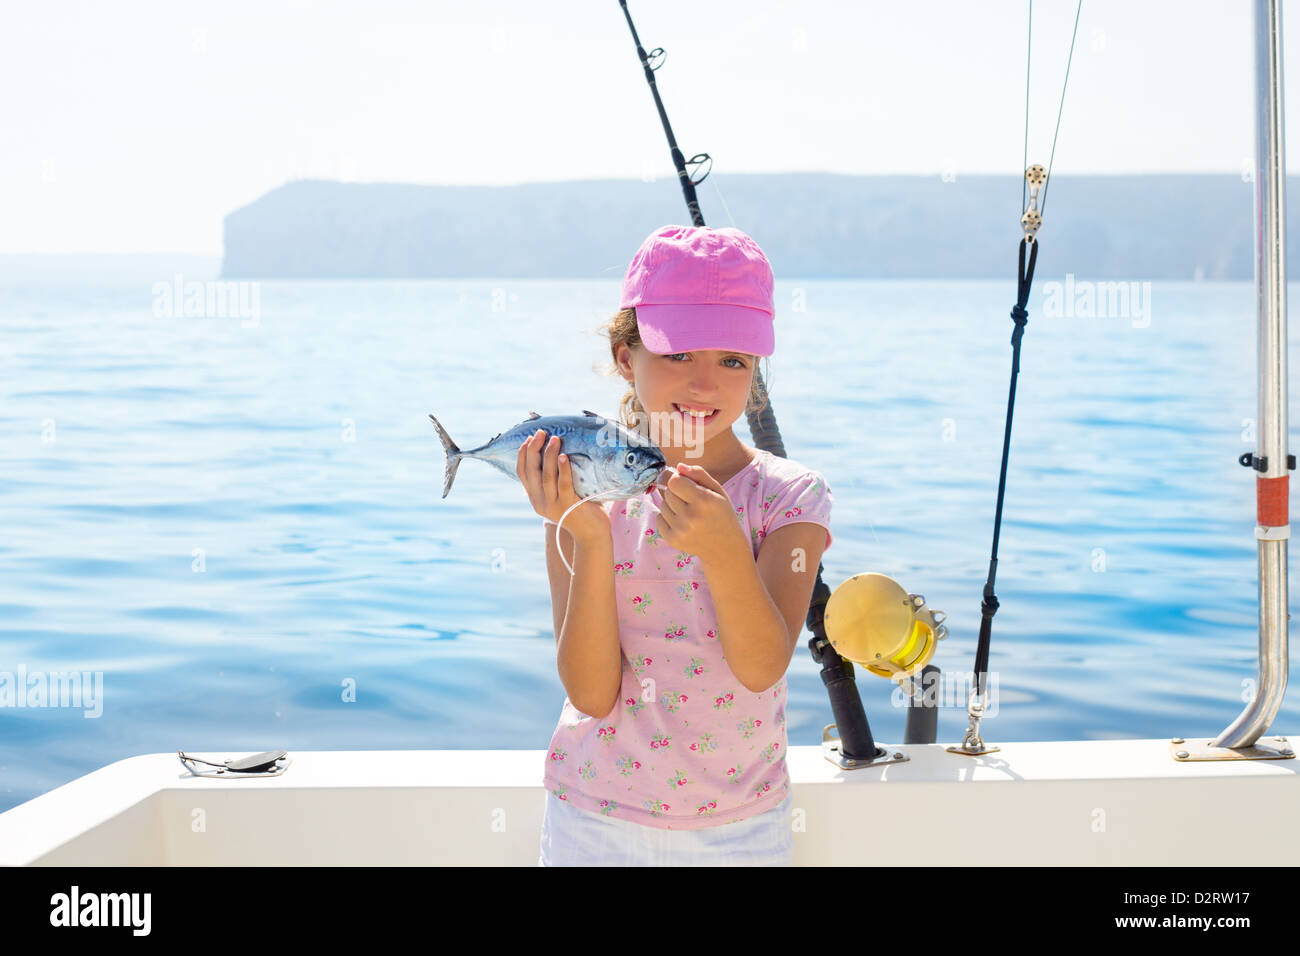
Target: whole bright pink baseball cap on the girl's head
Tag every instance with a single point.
(700, 288)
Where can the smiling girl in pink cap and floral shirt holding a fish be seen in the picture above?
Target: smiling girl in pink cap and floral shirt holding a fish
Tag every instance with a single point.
(687, 603)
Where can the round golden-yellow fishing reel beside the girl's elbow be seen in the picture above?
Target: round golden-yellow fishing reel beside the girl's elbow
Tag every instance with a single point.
(873, 621)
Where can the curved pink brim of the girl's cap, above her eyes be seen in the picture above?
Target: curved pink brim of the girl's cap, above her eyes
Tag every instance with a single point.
(669, 330)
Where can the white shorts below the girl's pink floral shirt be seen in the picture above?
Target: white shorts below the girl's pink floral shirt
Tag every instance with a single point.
(573, 837)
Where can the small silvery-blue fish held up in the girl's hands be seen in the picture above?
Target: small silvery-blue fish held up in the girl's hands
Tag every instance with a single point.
(608, 460)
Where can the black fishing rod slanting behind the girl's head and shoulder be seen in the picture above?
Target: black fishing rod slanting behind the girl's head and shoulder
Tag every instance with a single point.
(856, 747)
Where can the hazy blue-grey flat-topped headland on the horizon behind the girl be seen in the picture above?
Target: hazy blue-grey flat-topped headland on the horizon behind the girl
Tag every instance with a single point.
(812, 226)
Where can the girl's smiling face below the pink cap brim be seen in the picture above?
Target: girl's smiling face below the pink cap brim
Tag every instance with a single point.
(713, 380)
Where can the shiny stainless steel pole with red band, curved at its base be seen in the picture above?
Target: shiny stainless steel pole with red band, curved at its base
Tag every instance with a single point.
(1273, 527)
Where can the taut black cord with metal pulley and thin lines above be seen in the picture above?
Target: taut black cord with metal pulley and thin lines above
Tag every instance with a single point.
(1032, 220)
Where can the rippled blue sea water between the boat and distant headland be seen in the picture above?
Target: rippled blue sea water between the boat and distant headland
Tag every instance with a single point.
(237, 520)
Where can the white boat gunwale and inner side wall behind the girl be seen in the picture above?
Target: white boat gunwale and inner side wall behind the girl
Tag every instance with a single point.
(1108, 803)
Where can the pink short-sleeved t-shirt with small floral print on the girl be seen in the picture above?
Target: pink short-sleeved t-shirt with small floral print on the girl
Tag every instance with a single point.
(688, 746)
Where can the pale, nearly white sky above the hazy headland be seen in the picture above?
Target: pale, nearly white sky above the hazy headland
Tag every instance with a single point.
(137, 127)
